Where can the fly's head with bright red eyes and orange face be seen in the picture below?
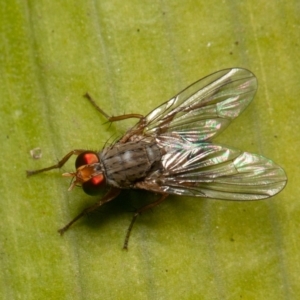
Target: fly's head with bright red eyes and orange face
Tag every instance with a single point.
(89, 174)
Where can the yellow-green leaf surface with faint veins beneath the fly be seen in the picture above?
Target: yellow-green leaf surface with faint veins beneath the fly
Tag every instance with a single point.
(132, 56)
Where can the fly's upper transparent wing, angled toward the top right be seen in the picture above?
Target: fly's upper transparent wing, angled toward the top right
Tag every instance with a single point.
(205, 108)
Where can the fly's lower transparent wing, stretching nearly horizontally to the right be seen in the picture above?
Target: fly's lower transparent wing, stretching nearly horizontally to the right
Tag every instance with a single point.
(215, 171)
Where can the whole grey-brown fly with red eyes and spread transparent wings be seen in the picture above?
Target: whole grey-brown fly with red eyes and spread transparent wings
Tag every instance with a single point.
(169, 151)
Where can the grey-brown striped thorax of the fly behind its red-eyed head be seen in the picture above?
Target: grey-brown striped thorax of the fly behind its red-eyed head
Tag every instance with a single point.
(124, 164)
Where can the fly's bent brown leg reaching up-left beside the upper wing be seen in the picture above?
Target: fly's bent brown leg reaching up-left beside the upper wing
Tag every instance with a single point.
(137, 129)
